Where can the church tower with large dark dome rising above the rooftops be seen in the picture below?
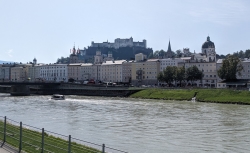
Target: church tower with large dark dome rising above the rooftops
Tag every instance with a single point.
(208, 49)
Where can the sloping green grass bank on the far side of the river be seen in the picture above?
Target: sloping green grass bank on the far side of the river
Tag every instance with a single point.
(202, 95)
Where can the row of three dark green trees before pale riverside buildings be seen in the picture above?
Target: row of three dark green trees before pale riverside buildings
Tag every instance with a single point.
(179, 74)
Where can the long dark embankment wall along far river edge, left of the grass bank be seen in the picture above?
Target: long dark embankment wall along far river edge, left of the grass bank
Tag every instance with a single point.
(74, 89)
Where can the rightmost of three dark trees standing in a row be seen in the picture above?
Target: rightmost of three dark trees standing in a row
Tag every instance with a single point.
(194, 74)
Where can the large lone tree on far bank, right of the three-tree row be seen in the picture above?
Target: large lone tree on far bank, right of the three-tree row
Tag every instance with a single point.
(230, 67)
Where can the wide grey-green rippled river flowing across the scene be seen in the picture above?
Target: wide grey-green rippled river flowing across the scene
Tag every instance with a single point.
(135, 125)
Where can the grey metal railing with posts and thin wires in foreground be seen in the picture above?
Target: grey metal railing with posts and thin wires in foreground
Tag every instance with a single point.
(27, 137)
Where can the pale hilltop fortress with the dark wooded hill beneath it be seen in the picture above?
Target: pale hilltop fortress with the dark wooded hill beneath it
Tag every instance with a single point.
(120, 49)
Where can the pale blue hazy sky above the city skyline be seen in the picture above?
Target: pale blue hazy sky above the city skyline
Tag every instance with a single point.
(48, 29)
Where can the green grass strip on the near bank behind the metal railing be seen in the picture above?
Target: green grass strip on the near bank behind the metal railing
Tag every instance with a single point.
(34, 139)
